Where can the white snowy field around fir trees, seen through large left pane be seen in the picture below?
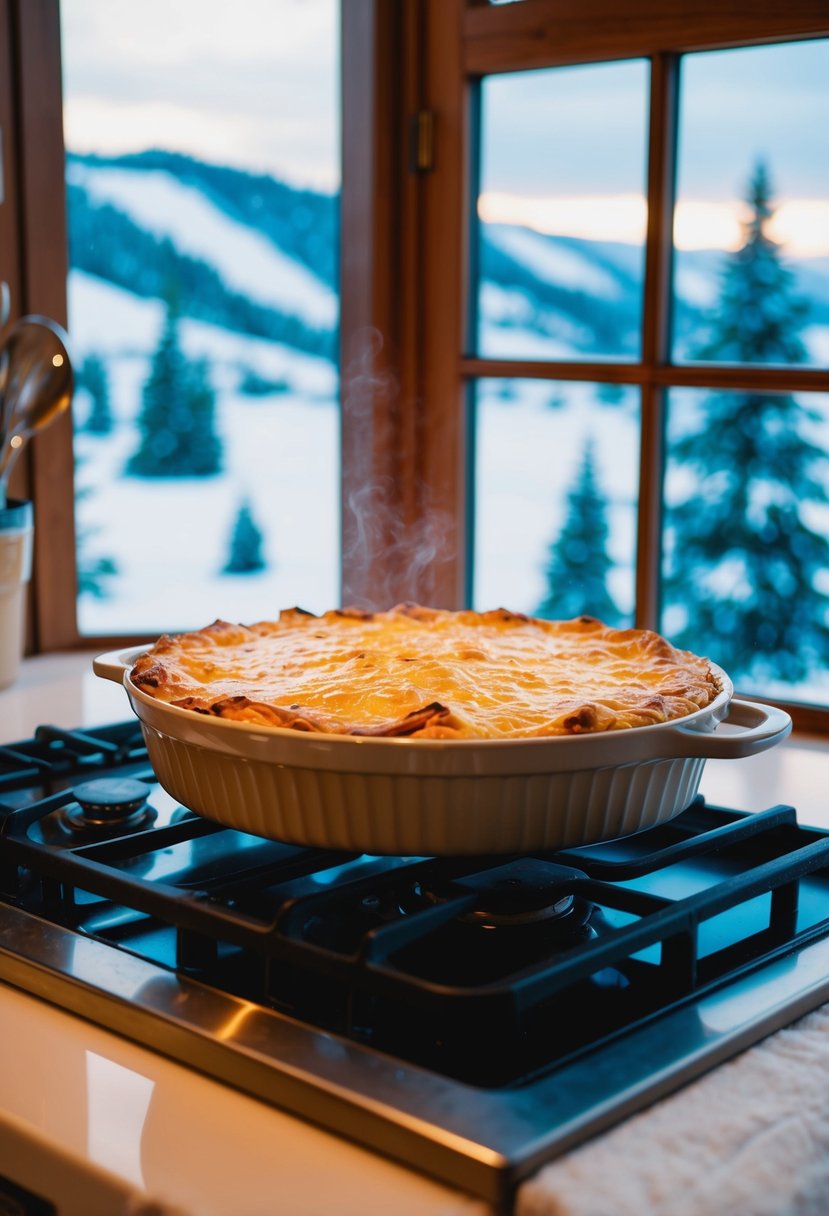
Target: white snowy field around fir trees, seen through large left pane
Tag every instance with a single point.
(170, 539)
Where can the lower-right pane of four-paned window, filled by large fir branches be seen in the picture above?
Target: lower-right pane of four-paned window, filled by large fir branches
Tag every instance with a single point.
(747, 562)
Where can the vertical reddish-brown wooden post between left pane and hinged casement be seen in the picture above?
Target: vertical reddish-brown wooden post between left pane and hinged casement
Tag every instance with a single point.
(371, 244)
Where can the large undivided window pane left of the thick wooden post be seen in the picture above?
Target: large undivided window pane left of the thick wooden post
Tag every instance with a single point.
(202, 184)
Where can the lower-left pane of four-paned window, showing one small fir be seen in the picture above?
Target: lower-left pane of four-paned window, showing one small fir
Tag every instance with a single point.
(556, 480)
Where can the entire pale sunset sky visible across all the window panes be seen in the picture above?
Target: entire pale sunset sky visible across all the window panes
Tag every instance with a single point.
(256, 85)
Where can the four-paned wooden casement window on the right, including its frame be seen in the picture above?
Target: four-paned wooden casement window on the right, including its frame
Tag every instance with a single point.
(667, 365)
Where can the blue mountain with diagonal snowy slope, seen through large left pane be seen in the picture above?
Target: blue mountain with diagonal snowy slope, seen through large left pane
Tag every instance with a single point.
(245, 254)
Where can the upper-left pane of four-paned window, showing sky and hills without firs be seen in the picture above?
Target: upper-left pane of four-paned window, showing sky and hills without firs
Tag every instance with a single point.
(561, 241)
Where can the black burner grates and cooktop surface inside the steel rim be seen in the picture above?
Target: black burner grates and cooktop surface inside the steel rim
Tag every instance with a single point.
(488, 970)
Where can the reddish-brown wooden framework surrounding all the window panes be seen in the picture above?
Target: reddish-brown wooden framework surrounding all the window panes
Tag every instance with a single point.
(405, 363)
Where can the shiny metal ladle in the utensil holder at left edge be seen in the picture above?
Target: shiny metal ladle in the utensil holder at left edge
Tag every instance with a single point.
(36, 386)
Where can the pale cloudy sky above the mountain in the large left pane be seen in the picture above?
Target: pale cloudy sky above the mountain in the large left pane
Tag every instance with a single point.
(253, 85)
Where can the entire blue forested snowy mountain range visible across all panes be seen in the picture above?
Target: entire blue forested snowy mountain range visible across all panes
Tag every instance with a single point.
(260, 257)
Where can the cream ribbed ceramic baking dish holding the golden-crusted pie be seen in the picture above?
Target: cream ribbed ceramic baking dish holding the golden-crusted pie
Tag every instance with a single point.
(439, 797)
